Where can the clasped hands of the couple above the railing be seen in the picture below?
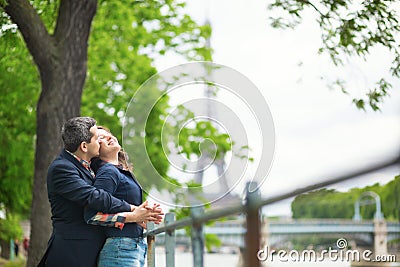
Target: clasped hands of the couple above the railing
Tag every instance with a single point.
(144, 213)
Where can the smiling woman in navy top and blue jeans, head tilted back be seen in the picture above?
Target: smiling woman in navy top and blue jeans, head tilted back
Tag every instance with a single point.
(126, 246)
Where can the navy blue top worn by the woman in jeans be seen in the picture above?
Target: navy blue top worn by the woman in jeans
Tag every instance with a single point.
(123, 185)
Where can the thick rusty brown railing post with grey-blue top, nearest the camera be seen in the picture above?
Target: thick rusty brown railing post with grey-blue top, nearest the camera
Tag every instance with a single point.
(253, 233)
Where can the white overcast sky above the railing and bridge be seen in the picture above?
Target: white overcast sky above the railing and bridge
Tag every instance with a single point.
(319, 132)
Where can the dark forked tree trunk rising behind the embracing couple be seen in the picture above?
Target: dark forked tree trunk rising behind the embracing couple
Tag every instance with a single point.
(62, 64)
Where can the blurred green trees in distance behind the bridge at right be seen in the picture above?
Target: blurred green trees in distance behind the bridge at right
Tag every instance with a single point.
(328, 203)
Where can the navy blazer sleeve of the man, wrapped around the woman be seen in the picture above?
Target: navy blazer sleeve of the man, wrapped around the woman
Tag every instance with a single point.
(68, 183)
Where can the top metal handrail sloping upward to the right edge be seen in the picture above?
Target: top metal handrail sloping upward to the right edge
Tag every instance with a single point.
(239, 208)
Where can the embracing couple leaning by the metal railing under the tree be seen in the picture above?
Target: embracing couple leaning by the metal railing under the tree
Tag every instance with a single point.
(81, 203)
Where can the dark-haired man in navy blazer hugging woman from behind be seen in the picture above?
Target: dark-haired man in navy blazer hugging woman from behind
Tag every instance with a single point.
(69, 185)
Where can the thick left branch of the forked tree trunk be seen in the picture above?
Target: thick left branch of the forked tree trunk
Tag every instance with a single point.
(33, 30)
